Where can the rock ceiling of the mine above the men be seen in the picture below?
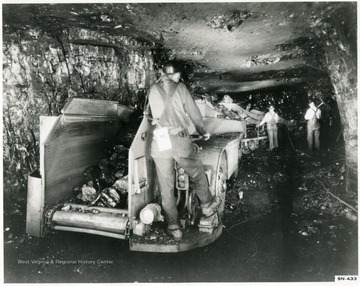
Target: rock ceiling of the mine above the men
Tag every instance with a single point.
(226, 42)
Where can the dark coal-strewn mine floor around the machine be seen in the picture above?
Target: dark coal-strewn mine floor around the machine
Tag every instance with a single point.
(285, 227)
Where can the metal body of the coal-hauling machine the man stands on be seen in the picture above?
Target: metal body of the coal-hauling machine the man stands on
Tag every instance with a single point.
(76, 139)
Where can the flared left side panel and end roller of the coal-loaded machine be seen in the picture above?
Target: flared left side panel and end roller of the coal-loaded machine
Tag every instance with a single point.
(69, 143)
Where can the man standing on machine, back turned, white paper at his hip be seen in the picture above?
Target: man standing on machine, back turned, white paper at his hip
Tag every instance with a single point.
(170, 102)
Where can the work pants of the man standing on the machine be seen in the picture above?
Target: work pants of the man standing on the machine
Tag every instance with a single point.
(165, 168)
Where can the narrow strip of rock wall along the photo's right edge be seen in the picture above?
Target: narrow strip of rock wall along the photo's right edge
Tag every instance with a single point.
(337, 29)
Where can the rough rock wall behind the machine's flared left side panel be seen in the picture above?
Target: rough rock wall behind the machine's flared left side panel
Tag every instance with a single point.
(41, 71)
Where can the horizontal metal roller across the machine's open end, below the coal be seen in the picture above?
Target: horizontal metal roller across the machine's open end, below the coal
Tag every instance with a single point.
(100, 221)
